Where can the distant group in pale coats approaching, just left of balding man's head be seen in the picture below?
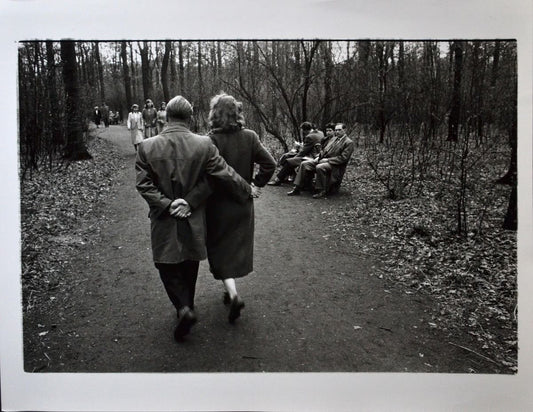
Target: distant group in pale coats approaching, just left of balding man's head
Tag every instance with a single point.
(147, 123)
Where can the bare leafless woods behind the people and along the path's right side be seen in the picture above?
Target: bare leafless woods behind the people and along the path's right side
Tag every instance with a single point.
(434, 123)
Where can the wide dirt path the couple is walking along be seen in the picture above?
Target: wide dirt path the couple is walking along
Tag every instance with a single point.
(313, 304)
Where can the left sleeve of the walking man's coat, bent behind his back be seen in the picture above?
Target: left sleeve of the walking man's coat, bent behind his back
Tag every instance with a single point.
(145, 184)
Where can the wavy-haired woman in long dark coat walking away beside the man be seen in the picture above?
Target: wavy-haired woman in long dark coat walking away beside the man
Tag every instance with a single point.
(230, 225)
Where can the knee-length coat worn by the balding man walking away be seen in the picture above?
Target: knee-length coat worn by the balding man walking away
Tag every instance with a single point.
(168, 166)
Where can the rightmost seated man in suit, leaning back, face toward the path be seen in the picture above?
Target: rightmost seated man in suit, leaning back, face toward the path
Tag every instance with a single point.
(329, 165)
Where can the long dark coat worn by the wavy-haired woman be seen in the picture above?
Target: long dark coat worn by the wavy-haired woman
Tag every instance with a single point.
(230, 225)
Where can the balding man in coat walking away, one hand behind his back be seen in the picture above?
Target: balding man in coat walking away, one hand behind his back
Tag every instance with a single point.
(168, 166)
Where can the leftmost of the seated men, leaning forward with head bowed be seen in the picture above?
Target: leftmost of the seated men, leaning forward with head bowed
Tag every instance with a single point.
(311, 146)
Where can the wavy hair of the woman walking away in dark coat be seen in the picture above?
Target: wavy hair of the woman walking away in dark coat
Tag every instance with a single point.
(225, 113)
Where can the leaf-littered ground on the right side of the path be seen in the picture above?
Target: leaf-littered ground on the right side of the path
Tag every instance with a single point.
(473, 279)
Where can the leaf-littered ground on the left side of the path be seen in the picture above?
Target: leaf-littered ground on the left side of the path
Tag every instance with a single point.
(54, 203)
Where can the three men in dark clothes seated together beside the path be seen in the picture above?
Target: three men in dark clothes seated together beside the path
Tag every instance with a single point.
(319, 156)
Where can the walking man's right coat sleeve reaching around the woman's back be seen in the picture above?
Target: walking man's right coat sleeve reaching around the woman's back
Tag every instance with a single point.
(224, 175)
